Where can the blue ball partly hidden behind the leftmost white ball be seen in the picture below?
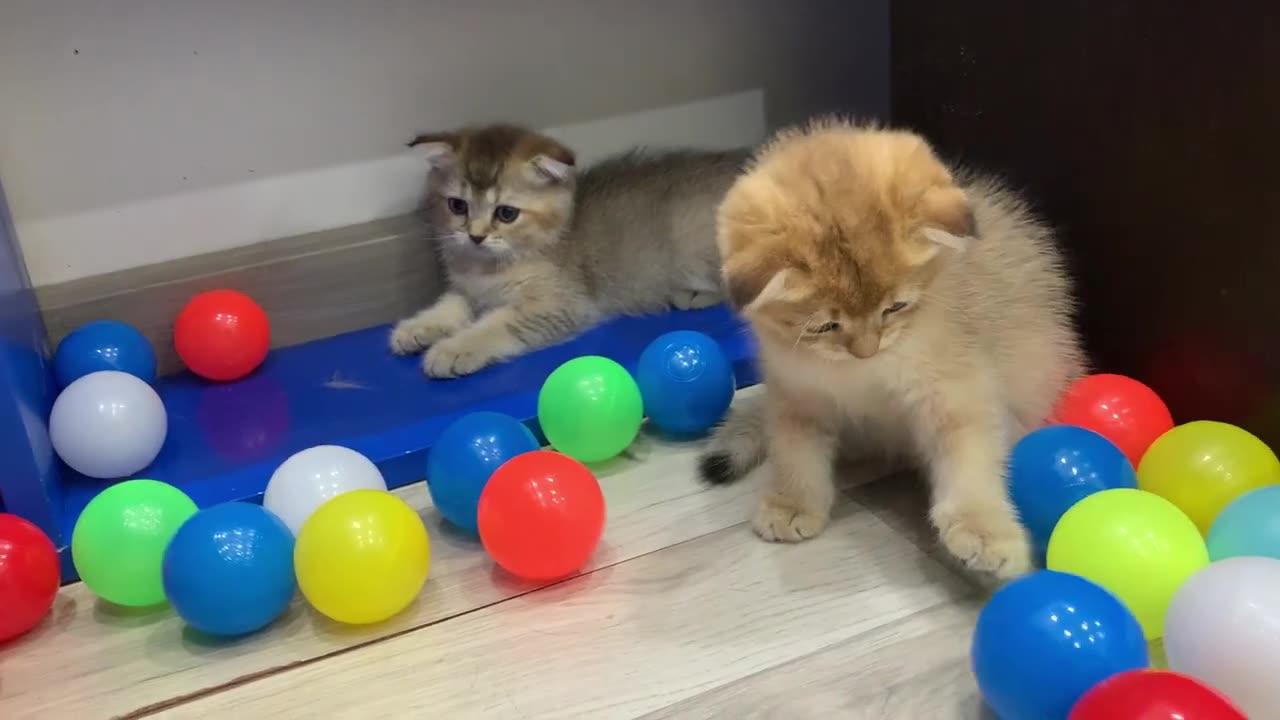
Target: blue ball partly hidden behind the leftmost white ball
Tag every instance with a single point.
(104, 345)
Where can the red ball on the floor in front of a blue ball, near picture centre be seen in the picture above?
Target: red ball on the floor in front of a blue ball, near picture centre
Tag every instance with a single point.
(541, 516)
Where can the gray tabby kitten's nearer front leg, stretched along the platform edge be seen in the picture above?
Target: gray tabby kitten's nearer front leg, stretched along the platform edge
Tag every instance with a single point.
(500, 335)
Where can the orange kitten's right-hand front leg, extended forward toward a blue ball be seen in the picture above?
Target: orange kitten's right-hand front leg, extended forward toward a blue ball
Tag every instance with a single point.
(976, 521)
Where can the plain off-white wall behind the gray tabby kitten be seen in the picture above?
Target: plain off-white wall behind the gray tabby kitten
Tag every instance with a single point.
(136, 131)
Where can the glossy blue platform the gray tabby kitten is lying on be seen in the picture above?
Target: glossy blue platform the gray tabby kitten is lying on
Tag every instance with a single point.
(226, 440)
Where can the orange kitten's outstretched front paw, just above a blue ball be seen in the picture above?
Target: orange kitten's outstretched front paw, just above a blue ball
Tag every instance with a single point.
(998, 548)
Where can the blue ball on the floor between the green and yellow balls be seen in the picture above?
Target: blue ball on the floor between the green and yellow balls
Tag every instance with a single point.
(230, 569)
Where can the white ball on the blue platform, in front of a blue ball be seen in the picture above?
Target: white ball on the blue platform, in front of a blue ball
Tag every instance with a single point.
(108, 425)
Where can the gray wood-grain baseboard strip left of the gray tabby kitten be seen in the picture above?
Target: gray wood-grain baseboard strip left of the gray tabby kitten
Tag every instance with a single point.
(312, 286)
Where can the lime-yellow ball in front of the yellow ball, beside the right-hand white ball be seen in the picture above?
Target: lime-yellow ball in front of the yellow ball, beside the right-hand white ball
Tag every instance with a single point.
(1137, 545)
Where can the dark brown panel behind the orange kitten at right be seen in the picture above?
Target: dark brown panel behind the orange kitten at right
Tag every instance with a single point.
(1148, 133)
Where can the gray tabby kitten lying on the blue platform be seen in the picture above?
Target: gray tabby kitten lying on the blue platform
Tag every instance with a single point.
(537, 253)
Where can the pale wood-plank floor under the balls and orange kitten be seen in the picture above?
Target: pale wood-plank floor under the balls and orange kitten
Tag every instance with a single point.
(683, 614)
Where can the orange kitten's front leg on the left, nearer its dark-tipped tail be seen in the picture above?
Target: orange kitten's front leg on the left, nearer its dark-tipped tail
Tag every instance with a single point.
(798, 500)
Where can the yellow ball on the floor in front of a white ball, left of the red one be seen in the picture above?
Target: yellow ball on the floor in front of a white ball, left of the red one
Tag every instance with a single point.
(363, 557)
